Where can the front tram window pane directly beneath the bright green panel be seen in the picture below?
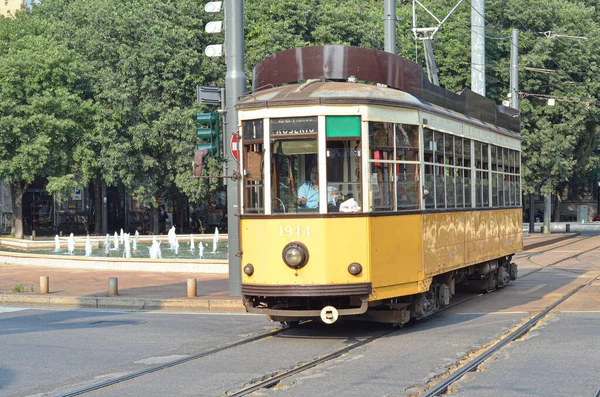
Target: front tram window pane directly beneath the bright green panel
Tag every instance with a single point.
(343, 173)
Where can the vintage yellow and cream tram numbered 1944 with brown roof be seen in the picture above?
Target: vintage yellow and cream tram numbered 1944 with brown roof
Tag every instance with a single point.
(423, 189)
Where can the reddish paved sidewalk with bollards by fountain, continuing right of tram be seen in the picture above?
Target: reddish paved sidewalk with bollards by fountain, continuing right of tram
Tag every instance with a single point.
(140, 290)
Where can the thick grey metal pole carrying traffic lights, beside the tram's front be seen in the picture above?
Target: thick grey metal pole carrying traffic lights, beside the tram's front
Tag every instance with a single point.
(235, 86)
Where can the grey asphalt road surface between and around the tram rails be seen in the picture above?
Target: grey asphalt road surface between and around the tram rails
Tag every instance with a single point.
(48, 352)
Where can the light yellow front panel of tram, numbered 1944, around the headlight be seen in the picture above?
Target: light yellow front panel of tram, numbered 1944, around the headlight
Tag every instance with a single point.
(333, 244)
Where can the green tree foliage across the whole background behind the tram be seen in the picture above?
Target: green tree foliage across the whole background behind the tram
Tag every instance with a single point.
(104, 90)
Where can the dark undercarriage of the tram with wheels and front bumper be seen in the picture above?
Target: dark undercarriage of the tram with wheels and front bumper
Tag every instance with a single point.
(483, 277)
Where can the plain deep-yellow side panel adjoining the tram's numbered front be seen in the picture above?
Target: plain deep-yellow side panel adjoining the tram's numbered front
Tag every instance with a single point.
(396, 252)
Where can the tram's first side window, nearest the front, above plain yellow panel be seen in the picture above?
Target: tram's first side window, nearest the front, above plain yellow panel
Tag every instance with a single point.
(393, 153)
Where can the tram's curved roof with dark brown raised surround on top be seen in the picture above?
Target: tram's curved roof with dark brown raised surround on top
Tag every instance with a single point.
(401, 83)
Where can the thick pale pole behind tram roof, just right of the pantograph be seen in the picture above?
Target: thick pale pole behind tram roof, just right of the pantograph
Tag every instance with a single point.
(478, 47)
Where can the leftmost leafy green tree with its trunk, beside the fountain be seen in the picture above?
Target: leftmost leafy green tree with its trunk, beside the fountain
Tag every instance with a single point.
(43, 109)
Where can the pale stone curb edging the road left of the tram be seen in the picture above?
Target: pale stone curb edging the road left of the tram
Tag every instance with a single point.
(140, 304)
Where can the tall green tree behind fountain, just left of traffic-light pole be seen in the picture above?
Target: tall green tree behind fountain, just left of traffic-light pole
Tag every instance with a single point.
(147, 56)
